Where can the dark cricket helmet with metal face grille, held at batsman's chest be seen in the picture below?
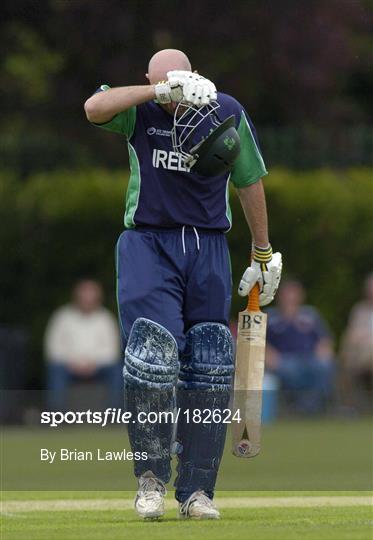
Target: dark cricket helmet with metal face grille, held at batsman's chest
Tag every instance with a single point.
(218, 149)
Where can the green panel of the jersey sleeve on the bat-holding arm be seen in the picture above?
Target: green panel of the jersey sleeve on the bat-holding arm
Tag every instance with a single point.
(249, 167)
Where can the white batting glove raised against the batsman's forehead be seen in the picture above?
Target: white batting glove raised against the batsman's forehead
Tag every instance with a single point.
(197, 90)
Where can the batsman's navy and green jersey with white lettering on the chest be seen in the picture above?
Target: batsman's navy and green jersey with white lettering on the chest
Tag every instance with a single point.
(162, 192)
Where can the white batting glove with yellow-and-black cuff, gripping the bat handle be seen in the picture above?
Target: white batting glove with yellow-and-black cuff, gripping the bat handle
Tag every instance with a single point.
(265, 269)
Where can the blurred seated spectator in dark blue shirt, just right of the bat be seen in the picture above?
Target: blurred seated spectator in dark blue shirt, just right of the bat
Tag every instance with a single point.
(300, 350)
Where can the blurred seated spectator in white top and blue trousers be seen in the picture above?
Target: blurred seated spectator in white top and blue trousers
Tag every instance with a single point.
(82, 344)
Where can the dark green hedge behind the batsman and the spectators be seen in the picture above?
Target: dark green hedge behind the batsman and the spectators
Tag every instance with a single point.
(59, 226)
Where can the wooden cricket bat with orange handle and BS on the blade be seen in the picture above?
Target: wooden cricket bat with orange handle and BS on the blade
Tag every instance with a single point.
(248, 382)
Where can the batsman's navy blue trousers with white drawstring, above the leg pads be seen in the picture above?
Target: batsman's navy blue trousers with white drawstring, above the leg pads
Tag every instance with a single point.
(173, 279)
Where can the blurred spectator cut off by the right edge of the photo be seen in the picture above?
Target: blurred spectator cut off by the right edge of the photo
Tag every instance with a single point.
(357, 349)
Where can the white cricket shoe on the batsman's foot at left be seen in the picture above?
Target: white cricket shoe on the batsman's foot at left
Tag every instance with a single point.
(149, 502)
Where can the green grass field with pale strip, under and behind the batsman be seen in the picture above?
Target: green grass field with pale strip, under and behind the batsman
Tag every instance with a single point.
(308, 483)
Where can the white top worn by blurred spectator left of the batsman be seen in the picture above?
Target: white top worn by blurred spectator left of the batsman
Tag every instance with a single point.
(82, 338)
